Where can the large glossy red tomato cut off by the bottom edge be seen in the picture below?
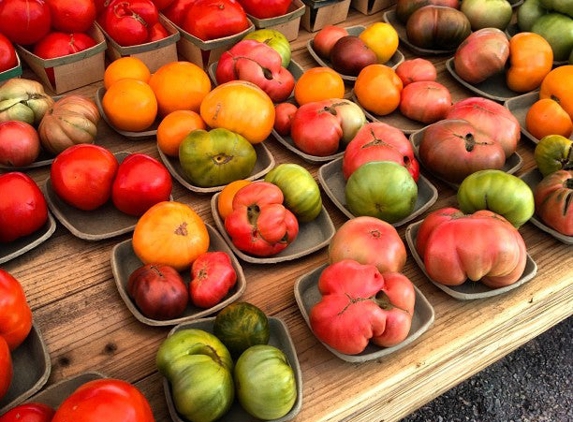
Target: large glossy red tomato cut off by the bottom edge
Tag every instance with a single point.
(106, 399)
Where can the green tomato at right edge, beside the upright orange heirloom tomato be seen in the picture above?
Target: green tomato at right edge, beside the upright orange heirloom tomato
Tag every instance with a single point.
(557, 29)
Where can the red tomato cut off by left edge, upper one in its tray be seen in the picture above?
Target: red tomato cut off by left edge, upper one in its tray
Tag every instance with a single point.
(15, 313)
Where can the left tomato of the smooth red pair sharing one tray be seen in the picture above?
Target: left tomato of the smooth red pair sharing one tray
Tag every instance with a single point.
(83, 174)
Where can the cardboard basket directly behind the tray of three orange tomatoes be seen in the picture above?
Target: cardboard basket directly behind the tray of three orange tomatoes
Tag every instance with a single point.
(154, 54)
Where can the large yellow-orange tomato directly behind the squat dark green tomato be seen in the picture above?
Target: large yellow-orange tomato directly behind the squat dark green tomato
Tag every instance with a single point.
(241, 107)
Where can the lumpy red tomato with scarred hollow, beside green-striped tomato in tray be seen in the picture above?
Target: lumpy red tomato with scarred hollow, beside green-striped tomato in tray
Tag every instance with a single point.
(260, 224)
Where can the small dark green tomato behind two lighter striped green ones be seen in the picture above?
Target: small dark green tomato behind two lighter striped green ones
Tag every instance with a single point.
(241, 325)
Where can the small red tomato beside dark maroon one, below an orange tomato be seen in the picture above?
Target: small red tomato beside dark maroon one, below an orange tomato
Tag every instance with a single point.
(212, 277)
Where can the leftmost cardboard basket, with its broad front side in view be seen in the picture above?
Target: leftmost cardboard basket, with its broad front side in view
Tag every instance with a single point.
(71, 71)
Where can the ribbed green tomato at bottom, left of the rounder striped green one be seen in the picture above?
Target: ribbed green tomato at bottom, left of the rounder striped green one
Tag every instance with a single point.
(199, 369)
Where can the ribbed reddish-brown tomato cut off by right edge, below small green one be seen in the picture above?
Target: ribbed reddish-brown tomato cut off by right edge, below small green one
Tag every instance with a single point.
(554, 201)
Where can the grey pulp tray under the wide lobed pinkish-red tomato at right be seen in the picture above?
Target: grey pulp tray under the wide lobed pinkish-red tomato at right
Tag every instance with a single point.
(469, 290)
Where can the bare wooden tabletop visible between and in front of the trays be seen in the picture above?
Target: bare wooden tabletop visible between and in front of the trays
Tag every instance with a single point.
(86, 325)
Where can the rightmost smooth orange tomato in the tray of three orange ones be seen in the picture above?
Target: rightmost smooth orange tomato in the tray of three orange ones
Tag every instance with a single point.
(179, 85)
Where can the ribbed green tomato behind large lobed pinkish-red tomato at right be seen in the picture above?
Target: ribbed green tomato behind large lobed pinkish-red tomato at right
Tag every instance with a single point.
(497, 191)
